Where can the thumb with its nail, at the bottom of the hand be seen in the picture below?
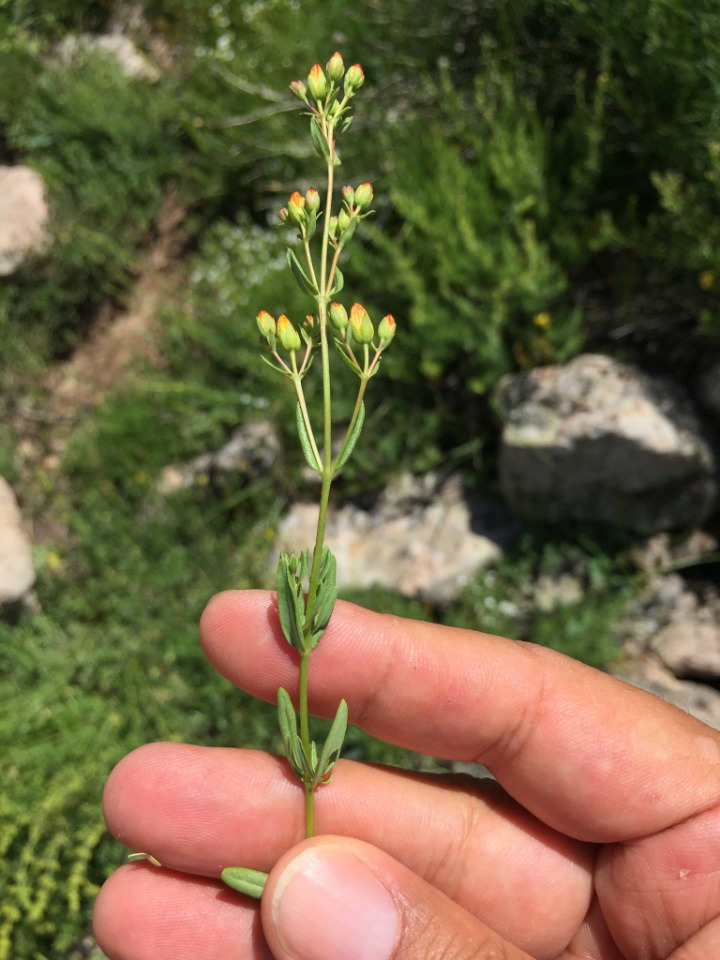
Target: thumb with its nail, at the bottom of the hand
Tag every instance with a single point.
(334, 898)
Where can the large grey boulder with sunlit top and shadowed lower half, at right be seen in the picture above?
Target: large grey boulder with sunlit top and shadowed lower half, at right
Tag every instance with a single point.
(600, 441)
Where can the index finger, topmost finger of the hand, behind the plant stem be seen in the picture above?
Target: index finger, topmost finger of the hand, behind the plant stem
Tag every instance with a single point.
(588, 754)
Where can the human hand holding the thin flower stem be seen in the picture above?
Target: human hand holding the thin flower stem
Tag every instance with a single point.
(602, 842)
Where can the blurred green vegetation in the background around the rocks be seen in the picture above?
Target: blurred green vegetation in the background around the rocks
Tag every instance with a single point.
(548, 181)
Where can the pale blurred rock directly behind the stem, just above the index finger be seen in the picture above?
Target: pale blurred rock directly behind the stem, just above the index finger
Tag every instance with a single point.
(424, 539)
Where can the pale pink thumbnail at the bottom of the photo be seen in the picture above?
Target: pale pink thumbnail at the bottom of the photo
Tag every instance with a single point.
(329, 905)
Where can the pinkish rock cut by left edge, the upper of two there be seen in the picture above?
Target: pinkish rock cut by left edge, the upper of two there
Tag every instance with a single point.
(23, 216)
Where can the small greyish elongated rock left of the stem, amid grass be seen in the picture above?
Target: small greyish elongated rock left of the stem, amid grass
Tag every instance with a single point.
(251, 451)
